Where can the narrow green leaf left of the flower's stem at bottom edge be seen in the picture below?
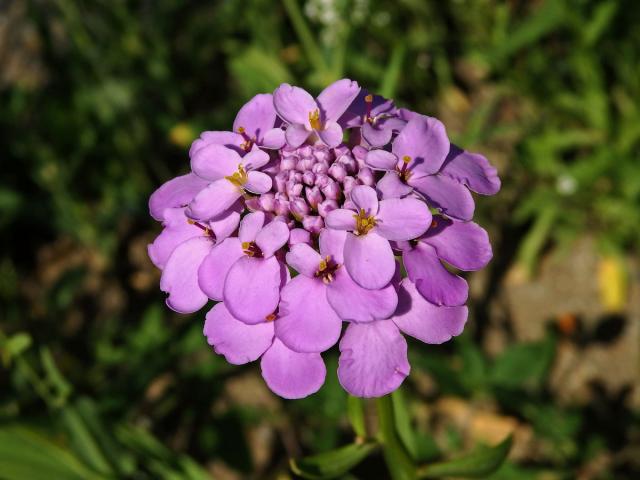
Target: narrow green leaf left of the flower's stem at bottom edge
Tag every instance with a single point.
(334, 463)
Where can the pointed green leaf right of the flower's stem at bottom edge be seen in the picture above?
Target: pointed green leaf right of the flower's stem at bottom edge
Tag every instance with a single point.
(479, 463)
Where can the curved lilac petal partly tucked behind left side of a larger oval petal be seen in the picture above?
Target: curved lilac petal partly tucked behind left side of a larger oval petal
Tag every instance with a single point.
(215, 266)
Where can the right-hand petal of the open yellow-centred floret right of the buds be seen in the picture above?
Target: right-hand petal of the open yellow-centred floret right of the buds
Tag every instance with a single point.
(402, 218)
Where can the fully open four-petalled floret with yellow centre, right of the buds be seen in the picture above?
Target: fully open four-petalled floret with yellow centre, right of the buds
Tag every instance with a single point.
(371, 224)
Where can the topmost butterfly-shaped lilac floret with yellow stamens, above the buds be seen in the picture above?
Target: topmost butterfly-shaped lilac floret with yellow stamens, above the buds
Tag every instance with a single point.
(306, 115)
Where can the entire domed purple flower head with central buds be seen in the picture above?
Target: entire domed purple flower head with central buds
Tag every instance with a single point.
(300, 218)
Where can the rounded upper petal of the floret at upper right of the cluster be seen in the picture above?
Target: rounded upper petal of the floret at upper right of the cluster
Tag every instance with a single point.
(424, 140)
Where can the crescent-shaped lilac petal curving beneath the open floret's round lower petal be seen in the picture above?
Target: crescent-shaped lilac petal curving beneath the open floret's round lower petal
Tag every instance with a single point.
(354, 303)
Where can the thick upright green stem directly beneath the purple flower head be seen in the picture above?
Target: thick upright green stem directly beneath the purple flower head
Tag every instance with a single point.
(400, 465)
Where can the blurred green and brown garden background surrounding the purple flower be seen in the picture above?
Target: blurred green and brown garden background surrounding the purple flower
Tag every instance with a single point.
(99, 101)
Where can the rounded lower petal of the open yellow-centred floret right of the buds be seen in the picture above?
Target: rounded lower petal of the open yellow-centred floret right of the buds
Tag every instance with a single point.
(369, 260)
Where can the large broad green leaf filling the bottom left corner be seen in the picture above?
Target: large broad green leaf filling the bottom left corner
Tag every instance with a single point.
(24, 453)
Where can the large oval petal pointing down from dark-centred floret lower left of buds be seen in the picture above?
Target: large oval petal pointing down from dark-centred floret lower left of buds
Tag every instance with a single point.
(252, 288)
